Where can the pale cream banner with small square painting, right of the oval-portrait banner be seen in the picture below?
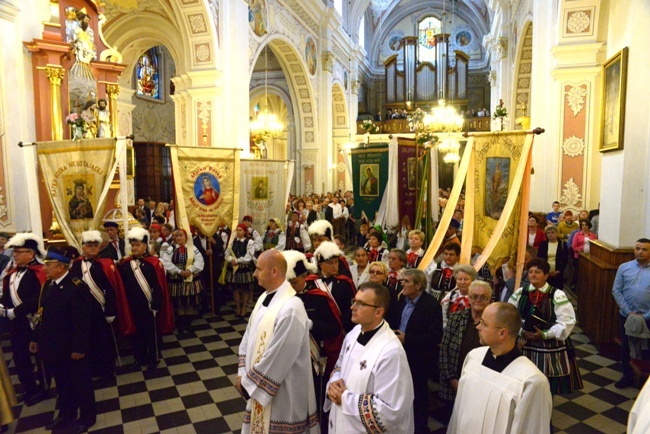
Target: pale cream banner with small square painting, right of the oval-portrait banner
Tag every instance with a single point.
(265, 188)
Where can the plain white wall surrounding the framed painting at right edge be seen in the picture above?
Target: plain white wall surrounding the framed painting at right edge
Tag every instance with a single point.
(625, 183)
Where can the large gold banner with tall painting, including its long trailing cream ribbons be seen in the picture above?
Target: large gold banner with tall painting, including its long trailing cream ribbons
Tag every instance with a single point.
(495, 170)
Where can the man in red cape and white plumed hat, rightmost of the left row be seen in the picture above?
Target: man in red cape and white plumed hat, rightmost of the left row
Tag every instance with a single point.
(146, 290)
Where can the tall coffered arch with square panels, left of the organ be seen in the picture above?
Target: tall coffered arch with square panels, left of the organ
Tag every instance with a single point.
(300, 88)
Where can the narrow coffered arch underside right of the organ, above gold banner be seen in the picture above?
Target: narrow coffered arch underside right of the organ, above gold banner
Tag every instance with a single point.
(523, 71)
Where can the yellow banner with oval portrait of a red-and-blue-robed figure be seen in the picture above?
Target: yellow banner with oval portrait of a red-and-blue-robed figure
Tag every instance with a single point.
(206, 186)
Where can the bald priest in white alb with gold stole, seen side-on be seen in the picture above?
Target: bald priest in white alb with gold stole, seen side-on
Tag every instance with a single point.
(275, 375)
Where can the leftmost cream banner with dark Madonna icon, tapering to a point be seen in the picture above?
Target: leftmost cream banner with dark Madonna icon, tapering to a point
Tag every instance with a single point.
(77, 174)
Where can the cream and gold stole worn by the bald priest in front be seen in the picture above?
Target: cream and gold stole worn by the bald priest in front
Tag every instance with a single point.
(261, 416)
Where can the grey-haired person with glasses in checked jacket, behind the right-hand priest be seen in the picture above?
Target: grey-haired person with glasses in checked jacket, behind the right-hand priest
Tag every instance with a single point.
(459, 338)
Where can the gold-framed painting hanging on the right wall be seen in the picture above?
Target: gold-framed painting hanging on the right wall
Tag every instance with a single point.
(612, 112)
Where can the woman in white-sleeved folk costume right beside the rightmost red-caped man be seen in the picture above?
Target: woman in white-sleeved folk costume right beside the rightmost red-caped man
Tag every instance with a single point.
(184, 282)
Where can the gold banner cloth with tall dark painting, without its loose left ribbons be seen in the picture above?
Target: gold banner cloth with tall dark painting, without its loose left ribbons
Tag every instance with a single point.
(499, 162)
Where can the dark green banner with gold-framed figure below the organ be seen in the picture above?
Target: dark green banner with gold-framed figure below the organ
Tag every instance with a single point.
(370, 176)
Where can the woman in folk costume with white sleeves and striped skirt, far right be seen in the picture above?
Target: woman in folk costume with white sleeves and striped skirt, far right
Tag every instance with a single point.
(548, 319)
